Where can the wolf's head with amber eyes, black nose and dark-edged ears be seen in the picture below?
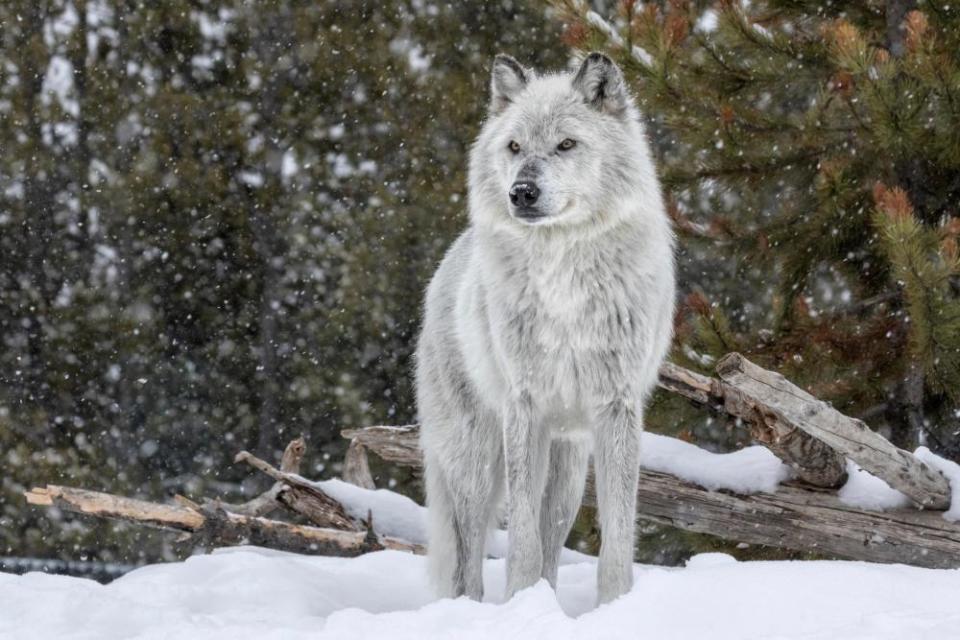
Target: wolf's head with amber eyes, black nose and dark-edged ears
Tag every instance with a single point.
(559, 150)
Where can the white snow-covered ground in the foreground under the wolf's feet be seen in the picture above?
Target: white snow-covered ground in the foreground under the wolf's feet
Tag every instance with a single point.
(255, 593)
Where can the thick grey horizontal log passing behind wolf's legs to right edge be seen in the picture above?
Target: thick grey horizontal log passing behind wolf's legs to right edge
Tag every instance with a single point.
(792, 518)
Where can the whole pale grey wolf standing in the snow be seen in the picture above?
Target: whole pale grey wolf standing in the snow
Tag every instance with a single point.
(544, 327)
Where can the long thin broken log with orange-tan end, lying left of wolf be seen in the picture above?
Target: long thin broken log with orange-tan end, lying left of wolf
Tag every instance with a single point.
(213, 526)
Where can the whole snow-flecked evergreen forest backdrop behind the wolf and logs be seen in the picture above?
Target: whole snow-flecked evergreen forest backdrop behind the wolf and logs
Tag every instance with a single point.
(217, 219)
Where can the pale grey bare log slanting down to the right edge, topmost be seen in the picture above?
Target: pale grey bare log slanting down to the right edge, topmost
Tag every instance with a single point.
(784, 405)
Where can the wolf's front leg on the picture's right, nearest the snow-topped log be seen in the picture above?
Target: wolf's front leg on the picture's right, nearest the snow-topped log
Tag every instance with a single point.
(617, 469)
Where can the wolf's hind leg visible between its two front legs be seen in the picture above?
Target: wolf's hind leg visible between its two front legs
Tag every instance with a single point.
(563, 494)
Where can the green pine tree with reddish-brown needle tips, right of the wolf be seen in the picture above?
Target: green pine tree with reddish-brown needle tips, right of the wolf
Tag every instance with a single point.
(811, 153)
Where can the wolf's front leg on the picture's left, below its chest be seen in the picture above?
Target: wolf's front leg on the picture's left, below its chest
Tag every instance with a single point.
(525, 454)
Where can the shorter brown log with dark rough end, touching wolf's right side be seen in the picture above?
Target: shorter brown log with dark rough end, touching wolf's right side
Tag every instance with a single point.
(813, 461)
